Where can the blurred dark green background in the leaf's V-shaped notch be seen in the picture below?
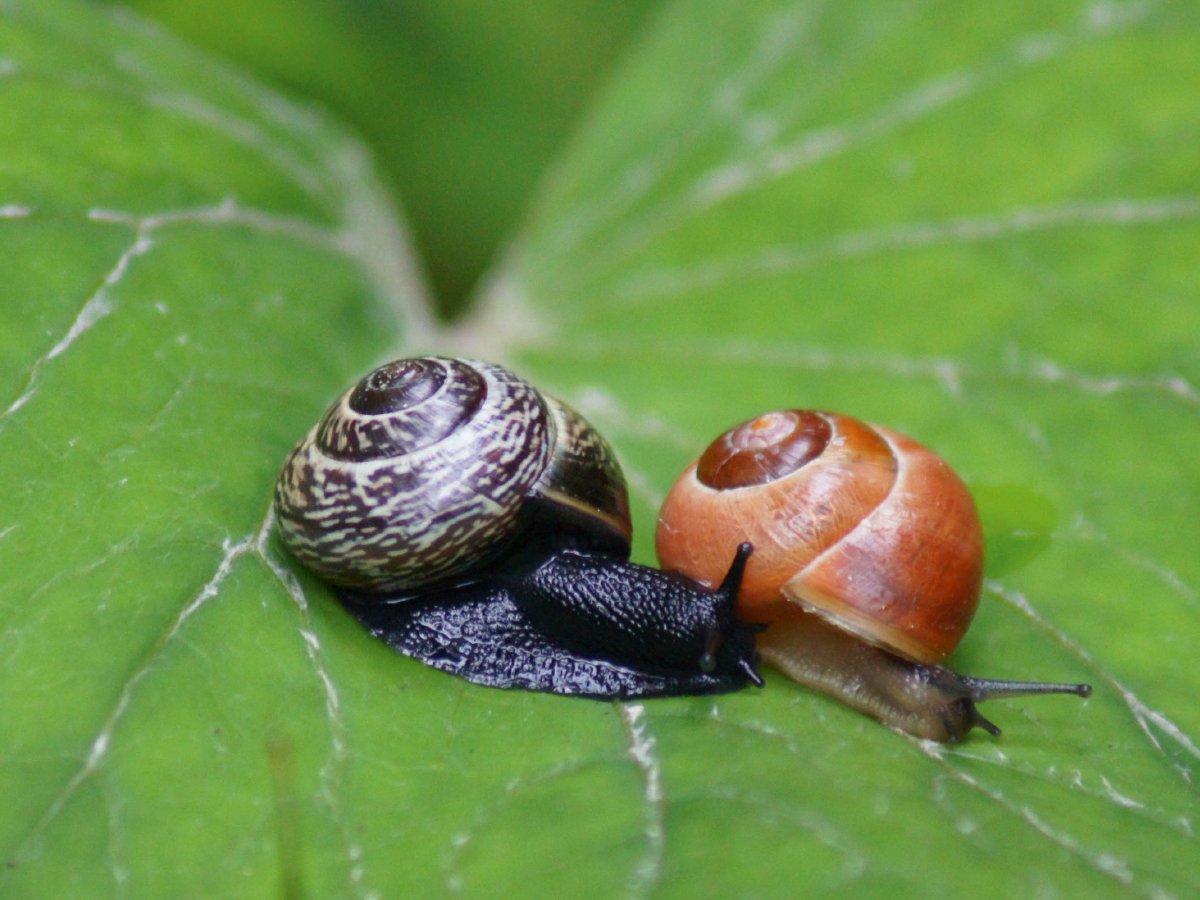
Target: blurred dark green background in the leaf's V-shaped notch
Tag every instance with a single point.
(465, 103)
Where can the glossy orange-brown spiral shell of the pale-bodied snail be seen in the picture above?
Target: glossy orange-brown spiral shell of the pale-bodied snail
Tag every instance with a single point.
(857, 524)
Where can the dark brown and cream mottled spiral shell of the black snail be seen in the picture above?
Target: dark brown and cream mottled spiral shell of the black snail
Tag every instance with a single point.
(421, 472)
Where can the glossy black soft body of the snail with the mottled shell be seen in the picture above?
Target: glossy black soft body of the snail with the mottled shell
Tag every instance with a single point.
(581, 625)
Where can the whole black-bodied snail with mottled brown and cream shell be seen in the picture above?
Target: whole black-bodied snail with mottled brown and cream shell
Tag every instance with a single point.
(482, 527)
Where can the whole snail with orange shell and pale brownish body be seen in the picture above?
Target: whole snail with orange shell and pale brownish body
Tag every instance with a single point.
(868, 563)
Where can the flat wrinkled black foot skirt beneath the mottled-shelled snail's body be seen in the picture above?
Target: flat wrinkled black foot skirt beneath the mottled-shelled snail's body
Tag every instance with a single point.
(481, 634)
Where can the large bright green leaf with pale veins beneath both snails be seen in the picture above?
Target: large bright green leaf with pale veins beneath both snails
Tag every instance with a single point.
(974, 225)
